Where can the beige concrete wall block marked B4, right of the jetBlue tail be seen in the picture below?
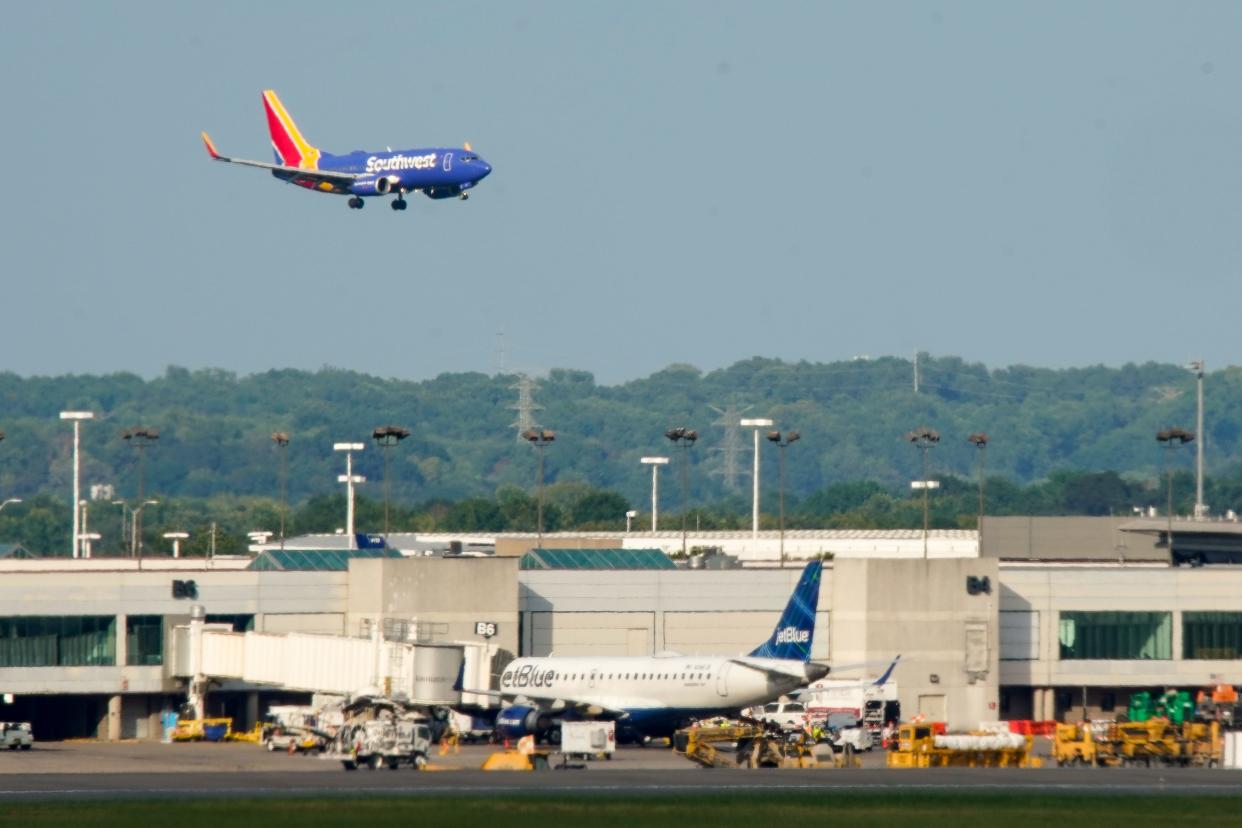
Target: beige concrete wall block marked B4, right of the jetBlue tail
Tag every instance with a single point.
(923, 611)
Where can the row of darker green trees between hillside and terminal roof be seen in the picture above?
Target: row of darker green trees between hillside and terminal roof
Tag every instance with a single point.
(223, 523)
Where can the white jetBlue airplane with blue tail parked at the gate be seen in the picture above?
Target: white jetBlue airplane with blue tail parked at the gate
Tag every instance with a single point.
(653, 696)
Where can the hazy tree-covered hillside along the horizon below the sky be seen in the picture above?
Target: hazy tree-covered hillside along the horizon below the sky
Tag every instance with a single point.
(215, 428)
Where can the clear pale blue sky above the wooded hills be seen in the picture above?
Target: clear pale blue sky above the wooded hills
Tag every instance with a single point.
(1050, 184)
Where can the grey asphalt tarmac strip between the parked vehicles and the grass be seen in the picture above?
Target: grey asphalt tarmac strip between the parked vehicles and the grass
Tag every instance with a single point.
(152, 772)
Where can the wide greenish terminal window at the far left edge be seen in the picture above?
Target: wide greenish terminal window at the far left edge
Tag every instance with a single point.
(65, 641)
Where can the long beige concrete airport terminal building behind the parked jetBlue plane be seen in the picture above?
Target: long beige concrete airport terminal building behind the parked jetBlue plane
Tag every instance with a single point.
(1036, 619)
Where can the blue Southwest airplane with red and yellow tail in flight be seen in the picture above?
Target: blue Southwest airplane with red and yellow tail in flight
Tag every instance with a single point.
(438, 172)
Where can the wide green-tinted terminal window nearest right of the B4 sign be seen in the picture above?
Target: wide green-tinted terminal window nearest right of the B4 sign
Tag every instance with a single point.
(1118, 636)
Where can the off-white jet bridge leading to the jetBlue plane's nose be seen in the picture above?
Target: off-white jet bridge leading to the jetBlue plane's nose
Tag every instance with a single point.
(331, 665)
